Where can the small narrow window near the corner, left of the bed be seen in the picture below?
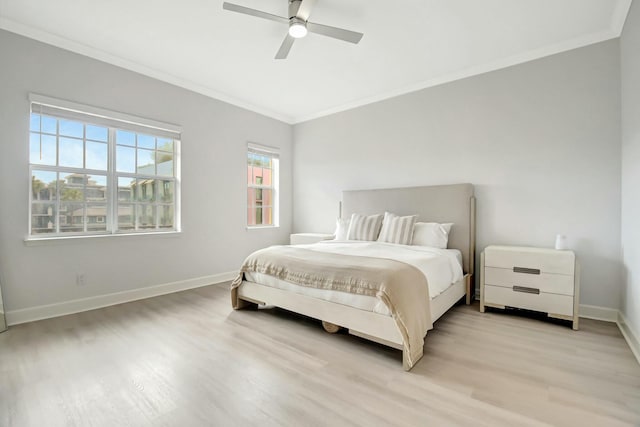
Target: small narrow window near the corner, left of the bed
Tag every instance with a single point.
(262, 191)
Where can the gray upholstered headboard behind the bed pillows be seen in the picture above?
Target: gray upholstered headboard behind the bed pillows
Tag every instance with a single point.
(439, 203)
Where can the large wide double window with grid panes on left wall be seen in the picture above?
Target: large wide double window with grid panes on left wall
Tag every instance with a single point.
(99, 172)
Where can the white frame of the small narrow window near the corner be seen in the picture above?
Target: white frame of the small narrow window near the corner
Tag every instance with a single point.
(274, 154)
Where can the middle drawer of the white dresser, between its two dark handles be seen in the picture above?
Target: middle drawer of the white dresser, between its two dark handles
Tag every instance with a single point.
(545, 282)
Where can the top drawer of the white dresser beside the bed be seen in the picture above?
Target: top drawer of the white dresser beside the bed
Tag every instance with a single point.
(544, 260)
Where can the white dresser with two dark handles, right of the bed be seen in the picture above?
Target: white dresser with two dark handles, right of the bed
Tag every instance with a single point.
(538, 279)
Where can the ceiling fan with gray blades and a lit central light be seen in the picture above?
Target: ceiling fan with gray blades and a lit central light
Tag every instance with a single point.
(299, 25)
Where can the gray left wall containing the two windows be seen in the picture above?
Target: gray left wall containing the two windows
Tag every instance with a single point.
(214, 140)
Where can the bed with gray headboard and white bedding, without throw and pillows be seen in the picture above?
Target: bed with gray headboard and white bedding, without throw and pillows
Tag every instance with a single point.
(449, 272)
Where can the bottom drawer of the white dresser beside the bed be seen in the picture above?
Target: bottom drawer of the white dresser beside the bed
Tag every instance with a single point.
(548, 303)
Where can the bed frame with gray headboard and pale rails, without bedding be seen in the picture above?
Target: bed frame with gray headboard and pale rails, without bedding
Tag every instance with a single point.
(442, 203)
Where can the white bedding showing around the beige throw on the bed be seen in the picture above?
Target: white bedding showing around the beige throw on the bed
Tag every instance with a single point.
(442, 268)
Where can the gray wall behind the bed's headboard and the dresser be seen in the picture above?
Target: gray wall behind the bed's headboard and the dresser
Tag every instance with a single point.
(540, 141)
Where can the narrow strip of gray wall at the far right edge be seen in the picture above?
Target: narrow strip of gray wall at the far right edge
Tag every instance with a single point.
(630, 59)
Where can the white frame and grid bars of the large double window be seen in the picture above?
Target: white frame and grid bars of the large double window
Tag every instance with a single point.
(112, 121)
